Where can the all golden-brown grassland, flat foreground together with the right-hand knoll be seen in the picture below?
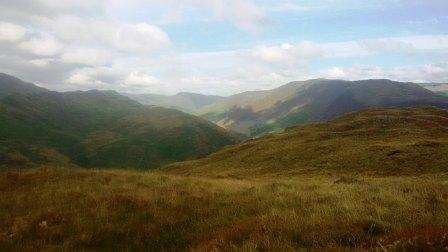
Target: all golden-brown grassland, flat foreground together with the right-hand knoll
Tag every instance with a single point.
(375, 179)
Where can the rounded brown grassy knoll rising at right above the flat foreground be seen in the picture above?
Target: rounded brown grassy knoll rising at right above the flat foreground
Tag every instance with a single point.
(383, 141)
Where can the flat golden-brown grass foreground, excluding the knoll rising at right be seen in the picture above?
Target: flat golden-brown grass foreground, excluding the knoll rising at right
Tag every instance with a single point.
(55, 209)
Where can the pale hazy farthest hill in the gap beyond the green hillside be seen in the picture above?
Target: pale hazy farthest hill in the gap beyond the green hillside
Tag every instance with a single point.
(187, 102)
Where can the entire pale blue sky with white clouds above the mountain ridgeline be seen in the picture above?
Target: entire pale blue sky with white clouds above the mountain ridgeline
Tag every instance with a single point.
(220, 47)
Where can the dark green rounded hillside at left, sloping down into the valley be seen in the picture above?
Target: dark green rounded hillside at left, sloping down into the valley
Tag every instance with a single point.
(100, 129)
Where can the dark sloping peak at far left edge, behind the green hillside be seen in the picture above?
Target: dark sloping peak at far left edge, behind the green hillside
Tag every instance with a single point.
(11, 85)
